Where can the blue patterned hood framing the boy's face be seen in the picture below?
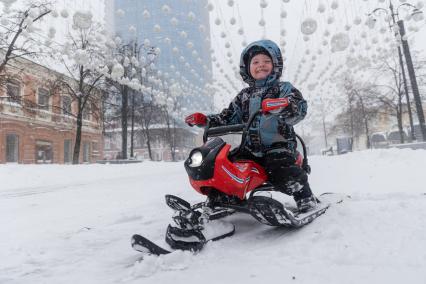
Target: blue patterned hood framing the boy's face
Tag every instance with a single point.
(274, 51)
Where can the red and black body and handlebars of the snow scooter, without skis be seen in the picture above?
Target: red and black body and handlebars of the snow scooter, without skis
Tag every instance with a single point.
(215, 170)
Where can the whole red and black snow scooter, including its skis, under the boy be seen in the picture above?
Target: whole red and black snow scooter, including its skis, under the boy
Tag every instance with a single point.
(231, 185)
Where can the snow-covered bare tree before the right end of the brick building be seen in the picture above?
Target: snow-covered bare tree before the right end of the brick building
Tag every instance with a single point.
(86, 54)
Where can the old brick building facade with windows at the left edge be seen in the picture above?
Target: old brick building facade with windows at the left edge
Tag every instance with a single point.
(33, 133)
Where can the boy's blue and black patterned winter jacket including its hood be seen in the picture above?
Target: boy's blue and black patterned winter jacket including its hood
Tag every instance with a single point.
(269, 132)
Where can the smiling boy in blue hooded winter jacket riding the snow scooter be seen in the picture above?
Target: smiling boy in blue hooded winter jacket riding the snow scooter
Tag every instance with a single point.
(271, 139)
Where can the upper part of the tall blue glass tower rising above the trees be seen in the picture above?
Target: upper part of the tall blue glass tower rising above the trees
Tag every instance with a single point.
(180, 28)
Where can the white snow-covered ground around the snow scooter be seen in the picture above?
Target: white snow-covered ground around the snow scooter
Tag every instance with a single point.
(72, 224)
